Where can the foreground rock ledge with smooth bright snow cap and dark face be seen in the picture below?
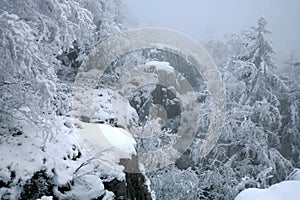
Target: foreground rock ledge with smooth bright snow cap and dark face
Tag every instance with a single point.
(116, 147)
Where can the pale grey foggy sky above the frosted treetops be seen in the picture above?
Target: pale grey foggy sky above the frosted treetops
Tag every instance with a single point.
(213, 19)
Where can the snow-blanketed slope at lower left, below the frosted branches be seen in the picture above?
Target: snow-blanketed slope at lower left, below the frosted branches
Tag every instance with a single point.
(64, 159)
